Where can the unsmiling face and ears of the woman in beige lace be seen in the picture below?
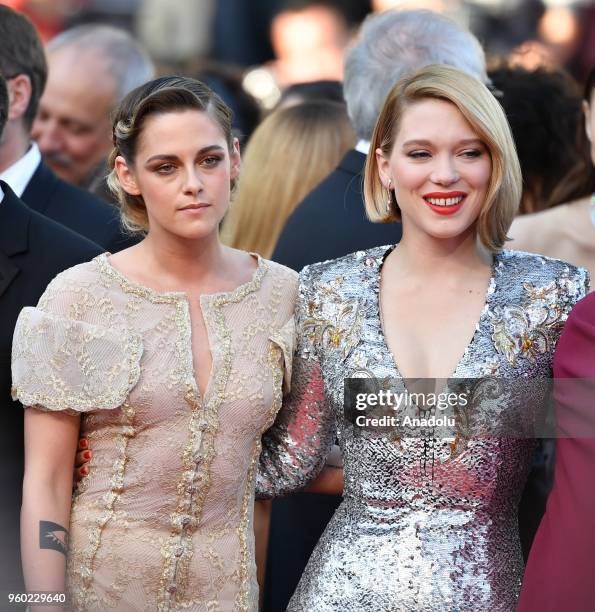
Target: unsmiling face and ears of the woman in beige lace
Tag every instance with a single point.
(183, 170)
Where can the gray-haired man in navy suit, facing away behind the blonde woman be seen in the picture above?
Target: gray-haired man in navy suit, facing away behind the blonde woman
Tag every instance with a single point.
(331, 220)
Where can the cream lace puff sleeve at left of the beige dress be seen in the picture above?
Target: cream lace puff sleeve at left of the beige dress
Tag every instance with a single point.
(62, 362)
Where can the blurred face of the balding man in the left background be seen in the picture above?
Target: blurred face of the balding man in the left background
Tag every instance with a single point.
(73, 127)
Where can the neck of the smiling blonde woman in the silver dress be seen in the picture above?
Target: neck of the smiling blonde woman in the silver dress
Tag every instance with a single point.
(432, 258)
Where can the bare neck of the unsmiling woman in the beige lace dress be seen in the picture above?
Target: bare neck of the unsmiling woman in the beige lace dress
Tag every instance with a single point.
(183, 262)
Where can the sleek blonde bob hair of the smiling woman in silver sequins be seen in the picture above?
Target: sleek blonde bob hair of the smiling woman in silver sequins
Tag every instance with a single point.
(486, 117)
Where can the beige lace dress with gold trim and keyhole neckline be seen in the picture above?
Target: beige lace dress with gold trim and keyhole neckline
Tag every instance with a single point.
(164, 519)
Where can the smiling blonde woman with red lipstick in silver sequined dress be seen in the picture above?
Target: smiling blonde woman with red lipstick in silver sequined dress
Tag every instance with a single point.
(427, 523)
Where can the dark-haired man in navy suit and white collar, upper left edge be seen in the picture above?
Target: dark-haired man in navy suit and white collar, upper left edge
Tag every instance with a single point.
(23, 65)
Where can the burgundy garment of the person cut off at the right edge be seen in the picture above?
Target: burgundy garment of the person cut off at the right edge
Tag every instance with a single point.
(560, 572)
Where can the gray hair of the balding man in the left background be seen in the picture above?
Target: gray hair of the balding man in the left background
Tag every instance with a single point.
(126, 61)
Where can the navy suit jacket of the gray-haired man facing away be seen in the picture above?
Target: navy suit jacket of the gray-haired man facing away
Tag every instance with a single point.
(331, 221)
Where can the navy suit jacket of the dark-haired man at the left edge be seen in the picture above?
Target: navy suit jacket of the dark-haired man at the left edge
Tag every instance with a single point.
(77, 209)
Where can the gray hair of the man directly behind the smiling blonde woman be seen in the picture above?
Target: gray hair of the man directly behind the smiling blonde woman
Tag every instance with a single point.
(395, 43)
